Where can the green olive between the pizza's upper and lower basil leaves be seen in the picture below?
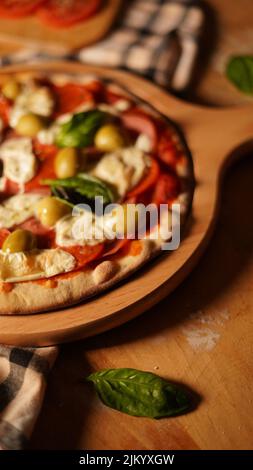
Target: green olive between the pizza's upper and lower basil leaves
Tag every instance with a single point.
(66, 162)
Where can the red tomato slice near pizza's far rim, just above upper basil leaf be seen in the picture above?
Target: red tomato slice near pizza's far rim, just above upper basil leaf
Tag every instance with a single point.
(70, 96)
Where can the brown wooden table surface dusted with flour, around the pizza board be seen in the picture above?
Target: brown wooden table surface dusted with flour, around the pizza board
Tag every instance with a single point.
(201, 335)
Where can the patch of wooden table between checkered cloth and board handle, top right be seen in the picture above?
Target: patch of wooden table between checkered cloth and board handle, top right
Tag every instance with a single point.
(228, 32)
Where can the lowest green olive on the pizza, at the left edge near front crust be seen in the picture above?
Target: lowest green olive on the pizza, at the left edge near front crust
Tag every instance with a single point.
(19, 240)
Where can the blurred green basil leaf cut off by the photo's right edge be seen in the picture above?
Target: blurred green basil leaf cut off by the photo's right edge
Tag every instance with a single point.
(240, 73)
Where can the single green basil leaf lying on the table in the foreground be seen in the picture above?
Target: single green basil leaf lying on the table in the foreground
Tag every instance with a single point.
(139, 393)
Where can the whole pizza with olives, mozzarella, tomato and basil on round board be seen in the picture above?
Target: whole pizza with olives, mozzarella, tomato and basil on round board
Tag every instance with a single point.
(68, 146)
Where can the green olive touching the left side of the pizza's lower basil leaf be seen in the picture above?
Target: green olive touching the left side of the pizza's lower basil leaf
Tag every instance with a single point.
(50, 209)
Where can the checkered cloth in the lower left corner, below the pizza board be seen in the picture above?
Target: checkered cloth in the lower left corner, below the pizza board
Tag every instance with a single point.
(23, 374)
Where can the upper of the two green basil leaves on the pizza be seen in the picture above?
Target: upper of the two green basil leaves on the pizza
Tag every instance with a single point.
(80, 130)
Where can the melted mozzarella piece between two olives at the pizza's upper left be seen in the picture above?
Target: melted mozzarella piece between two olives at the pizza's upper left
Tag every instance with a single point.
(33, 99)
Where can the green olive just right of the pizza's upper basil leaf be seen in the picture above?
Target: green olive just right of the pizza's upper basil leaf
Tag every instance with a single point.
(109, 138)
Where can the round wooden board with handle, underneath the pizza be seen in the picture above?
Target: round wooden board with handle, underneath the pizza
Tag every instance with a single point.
(215, 137)
